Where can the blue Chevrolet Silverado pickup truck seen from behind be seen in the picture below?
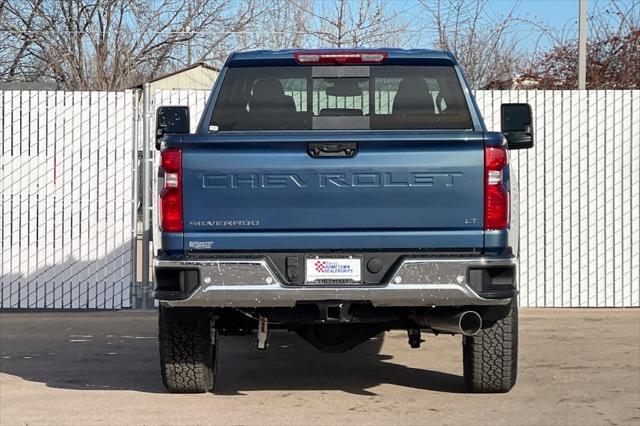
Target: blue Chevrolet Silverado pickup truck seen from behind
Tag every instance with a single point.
(338, 194)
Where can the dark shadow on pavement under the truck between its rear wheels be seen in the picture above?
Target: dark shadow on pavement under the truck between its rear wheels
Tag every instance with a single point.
(292, 364)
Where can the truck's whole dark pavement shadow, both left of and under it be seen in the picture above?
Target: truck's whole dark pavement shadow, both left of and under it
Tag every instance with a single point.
(118, 351)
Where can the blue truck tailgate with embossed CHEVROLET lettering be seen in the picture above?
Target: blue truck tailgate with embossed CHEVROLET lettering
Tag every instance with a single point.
(400, 190)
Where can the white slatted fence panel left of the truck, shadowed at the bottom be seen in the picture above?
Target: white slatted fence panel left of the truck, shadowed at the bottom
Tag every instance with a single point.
(66, 168)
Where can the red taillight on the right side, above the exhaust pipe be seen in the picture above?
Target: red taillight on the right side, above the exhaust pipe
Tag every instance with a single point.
(496, 197)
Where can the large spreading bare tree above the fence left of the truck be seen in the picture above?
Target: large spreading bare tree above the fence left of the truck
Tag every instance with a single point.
(112, 44)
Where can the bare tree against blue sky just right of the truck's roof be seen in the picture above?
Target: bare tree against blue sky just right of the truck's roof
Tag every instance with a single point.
(484, 42)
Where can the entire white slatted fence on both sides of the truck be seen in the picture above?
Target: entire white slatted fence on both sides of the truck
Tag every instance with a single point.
(66, 229)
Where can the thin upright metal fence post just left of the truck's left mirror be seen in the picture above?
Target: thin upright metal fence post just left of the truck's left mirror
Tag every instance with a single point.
(146, 188)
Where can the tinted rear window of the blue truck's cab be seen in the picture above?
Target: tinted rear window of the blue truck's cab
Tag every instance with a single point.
(341, 98)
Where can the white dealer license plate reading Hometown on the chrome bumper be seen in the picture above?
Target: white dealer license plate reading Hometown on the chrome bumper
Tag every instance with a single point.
(333, 270)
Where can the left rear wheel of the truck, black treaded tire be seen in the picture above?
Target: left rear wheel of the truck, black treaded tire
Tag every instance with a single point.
(187, 351)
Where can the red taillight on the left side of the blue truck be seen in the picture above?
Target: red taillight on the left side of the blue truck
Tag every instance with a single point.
(171, 194)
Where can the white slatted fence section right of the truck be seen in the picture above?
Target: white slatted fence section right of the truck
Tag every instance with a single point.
(579, 196)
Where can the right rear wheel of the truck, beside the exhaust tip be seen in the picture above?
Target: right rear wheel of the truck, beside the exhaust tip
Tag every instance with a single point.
(491, 357)
